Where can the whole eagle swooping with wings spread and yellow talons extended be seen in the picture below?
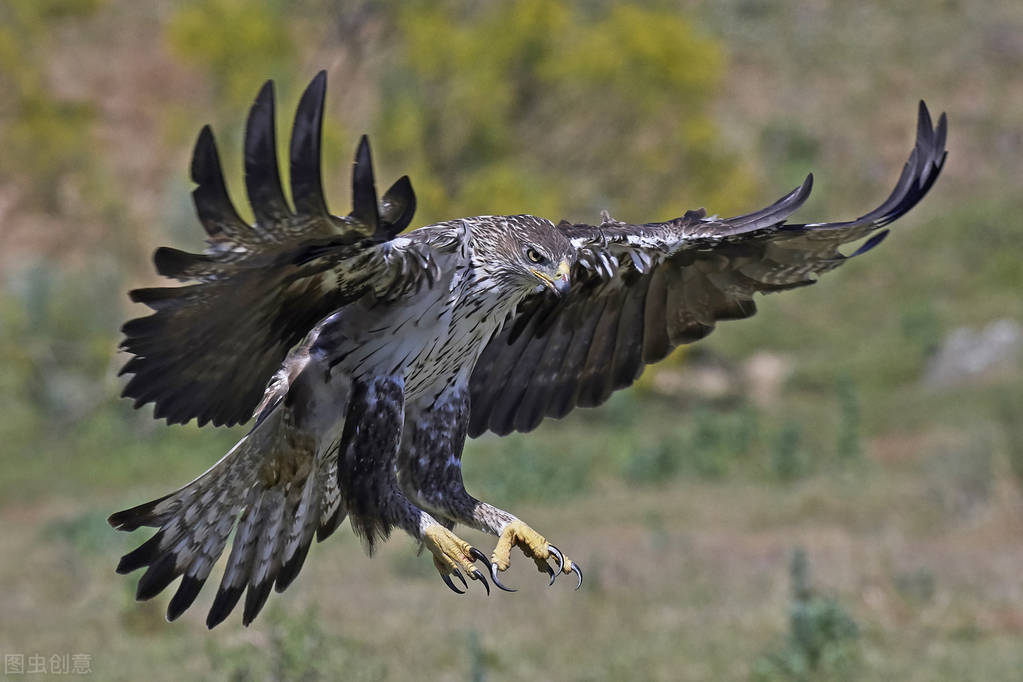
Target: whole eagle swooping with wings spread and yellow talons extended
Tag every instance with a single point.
(367, 355)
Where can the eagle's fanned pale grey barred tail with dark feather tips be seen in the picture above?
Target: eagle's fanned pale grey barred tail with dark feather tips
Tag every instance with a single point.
(274, 521)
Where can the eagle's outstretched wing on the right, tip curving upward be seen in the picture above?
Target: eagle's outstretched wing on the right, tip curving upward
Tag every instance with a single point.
(641, 291)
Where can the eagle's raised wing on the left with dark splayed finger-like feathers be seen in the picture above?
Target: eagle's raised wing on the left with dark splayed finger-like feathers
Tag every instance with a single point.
(257, 290)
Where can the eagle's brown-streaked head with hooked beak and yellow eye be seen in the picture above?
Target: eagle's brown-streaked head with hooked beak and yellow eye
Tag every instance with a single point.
(525, 254)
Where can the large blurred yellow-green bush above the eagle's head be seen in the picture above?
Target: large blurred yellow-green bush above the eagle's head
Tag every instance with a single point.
(483, 100)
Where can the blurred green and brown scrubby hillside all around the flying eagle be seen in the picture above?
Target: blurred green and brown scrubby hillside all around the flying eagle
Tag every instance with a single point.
(831, 490)
